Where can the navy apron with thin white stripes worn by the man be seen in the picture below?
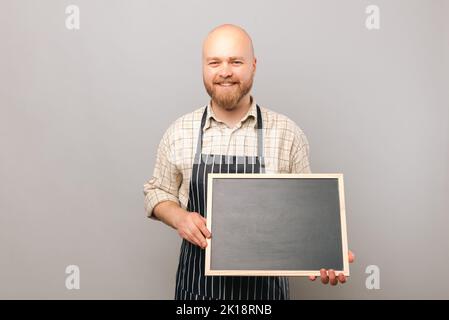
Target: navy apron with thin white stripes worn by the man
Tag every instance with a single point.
(191, 284)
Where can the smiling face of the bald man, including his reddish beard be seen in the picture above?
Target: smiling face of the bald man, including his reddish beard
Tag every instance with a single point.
(228, 68)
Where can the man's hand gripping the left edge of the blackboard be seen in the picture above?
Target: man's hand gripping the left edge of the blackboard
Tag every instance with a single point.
(192, 227)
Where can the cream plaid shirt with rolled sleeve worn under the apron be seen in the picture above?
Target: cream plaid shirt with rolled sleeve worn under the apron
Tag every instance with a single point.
(286, 150)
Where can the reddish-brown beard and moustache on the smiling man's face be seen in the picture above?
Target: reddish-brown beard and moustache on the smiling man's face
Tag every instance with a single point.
(228, 97)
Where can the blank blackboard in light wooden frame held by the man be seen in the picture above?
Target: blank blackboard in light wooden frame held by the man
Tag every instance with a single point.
(276, 224)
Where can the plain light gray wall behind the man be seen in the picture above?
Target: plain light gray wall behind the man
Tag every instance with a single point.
(82, 113)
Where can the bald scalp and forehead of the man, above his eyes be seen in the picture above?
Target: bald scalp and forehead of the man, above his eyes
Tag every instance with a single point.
(228, 40)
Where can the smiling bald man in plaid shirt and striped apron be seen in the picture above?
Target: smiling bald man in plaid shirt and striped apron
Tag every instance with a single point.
(231, 134)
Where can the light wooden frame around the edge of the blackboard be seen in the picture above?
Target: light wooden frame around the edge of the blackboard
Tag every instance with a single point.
(209, 248)
